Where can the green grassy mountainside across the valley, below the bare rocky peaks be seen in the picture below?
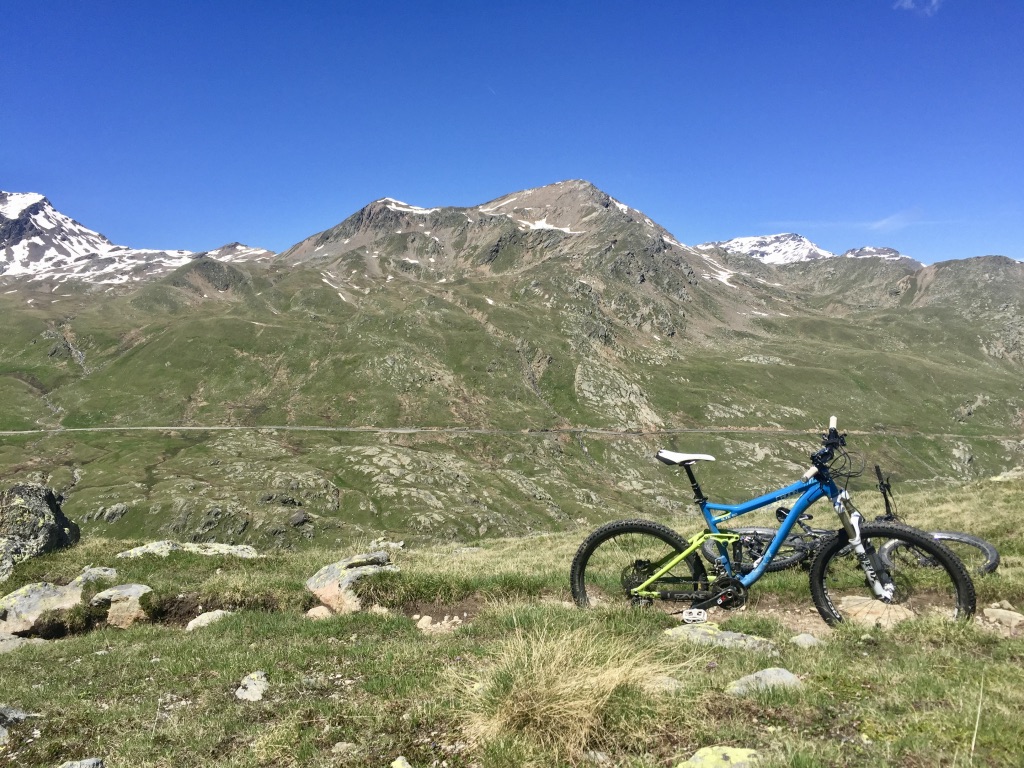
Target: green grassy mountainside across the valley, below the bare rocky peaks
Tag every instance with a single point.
(530, 352)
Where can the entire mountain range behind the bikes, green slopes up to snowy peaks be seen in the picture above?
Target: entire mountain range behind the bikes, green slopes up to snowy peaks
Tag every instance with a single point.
(470, 371)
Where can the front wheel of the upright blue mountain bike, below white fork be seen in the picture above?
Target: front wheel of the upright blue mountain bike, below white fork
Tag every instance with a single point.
(925, 579)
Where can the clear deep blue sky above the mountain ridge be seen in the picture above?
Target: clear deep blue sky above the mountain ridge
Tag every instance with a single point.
(868, 122)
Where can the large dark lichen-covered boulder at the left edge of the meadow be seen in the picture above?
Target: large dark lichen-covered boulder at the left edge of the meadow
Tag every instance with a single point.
(31, 525)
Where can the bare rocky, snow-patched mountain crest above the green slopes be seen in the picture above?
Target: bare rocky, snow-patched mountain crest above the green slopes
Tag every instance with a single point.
(39, 243)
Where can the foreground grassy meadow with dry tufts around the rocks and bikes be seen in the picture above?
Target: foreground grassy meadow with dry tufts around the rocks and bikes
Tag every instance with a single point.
(152, 696)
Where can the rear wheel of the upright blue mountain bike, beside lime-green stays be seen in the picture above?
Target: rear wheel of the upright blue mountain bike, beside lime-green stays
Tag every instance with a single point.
(624, 554)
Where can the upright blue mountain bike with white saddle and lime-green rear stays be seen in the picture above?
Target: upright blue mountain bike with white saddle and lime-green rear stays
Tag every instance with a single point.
(644, 563)
